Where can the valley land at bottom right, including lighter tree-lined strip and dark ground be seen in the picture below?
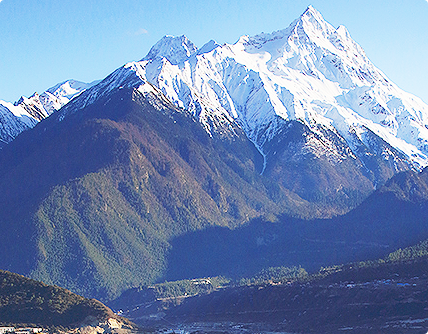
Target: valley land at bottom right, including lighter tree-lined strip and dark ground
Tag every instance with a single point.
(387, 295)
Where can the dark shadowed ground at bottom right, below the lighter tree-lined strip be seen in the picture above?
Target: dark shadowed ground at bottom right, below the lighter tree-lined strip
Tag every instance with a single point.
(397, 305)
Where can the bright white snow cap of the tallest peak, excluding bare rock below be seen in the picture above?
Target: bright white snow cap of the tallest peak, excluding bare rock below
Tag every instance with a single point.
(310, 72)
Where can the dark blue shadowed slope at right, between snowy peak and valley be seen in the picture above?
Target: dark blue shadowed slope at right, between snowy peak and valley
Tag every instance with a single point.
(392, 217)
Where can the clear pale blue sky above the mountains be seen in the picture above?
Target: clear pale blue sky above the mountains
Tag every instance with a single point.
(45, 42)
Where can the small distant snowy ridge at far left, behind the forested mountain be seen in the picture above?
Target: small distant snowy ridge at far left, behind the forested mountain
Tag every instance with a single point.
(27, 112)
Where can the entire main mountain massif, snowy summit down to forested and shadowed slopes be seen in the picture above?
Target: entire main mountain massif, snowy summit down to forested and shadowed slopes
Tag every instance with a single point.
(217, 161)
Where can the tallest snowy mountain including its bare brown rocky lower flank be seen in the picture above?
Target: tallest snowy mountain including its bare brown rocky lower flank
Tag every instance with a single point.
(307, 97)
